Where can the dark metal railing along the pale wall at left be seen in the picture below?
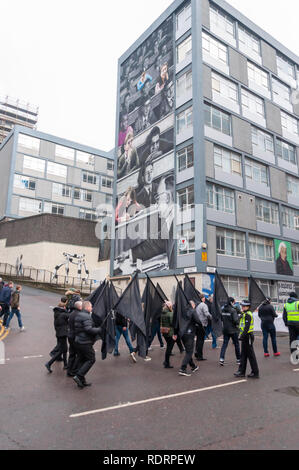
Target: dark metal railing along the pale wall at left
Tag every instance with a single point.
(42, 276)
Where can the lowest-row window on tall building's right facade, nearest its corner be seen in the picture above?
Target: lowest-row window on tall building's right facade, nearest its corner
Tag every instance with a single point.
(230, 243)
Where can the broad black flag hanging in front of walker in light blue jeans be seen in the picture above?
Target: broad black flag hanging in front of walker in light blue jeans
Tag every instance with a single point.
(129, 306)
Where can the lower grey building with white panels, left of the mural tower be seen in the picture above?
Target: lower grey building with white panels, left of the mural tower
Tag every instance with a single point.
(41, 173)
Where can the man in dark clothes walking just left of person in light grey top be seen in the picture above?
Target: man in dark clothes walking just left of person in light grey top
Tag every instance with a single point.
(188, 340)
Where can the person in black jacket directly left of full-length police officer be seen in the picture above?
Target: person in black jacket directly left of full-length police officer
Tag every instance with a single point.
(230, 320)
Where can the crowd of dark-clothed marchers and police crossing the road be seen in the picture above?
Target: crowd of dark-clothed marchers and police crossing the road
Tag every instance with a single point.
(77, 333)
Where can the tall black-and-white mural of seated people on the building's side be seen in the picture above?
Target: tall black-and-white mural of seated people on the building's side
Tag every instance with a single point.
(144, 215)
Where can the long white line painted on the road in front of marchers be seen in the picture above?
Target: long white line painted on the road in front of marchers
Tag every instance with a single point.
(150, 400)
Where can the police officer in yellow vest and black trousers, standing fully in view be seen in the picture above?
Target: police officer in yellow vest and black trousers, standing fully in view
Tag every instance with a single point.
(247, 338)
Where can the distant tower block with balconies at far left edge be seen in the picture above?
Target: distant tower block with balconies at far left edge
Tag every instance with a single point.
(15, 112)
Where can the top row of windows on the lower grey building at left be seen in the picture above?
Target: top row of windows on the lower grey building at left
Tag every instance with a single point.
(32, 145)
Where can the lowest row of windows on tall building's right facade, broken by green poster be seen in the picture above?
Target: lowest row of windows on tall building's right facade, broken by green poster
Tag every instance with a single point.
(232, 243)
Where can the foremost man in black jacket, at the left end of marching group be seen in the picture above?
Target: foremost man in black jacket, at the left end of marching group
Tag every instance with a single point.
(85, 337)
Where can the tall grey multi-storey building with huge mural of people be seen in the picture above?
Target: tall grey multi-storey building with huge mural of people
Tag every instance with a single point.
(208, 118)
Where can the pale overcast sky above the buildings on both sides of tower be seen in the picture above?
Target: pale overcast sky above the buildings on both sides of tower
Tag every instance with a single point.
(62, 55)
